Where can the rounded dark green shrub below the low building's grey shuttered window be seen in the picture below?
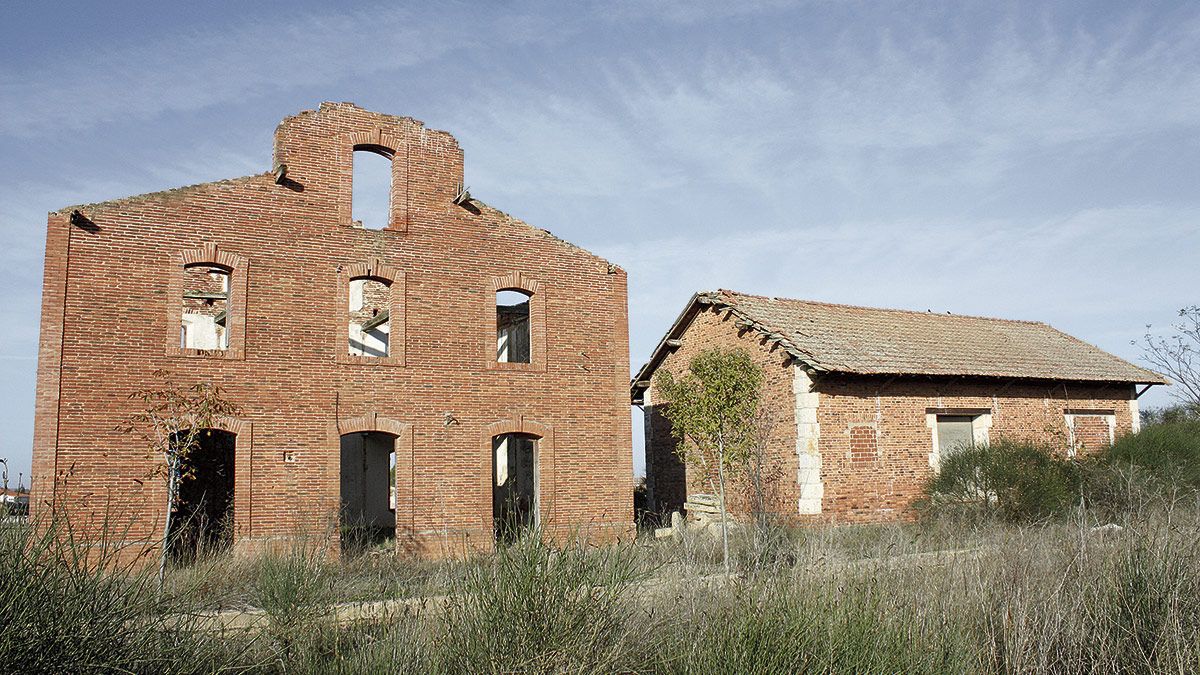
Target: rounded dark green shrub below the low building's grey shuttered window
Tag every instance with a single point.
(1012, 481)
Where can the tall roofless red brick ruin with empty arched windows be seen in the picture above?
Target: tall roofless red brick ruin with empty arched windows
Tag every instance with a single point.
(482, 361)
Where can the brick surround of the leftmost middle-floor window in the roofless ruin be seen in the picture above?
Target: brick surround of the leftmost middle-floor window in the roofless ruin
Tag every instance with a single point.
(226, 300)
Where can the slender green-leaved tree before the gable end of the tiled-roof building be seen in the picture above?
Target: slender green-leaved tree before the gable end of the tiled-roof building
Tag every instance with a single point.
(713, 410)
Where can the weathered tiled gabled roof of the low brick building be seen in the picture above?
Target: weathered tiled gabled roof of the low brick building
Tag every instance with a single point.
(826, 338)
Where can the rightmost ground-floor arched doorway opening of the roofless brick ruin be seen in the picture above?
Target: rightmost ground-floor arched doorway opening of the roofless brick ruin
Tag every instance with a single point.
(514, 485)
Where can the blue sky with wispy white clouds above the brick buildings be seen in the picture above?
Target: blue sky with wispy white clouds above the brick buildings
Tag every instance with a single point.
(1015, 160)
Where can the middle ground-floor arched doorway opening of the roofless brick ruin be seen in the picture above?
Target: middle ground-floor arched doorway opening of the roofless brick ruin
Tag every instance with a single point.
(369, 491)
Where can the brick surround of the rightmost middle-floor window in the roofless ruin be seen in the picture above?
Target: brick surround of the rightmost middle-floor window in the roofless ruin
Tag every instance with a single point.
(496, 343)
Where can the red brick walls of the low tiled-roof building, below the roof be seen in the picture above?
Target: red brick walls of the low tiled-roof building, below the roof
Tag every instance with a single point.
(874, 441)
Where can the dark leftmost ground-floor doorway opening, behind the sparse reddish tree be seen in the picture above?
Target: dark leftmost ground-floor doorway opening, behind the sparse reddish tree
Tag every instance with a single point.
(203, 521)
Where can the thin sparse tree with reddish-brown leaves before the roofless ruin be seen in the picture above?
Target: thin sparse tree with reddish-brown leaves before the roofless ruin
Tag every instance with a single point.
(171, 423)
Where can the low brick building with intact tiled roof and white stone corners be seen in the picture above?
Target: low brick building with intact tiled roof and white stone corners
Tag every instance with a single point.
(865, 403)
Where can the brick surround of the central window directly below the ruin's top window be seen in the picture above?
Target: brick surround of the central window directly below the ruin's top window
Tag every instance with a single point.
(380, 273)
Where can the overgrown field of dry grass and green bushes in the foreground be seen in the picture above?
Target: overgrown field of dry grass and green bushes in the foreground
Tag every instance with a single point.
(1010, 570)
